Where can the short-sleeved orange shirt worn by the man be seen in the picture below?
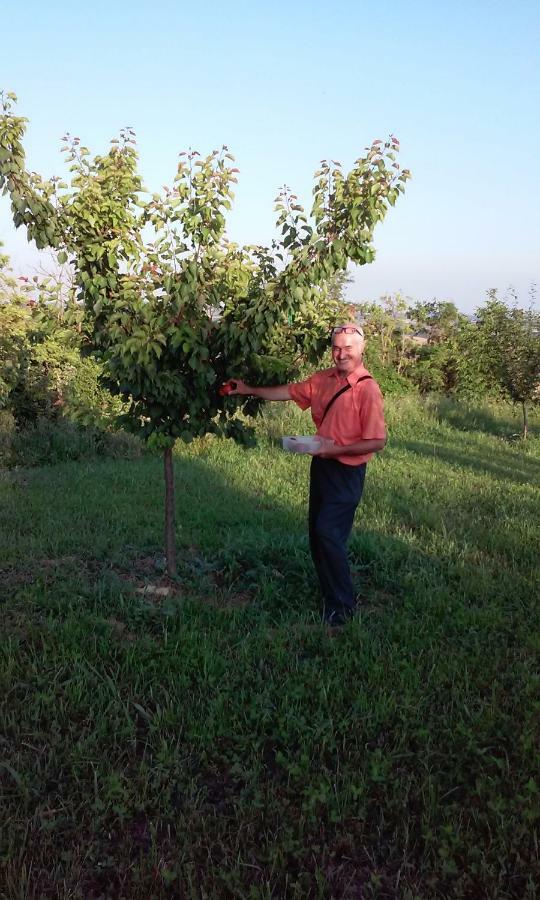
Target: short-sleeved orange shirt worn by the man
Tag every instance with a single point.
(356, 415)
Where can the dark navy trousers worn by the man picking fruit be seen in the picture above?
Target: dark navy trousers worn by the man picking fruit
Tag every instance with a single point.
(334, 493)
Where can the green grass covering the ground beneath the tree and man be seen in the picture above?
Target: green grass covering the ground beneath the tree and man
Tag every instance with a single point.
(207, 738)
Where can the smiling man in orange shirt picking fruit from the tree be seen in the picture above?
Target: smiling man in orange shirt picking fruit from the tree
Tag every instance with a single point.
(346, 406)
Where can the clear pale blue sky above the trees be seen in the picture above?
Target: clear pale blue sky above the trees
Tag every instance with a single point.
(286, 84)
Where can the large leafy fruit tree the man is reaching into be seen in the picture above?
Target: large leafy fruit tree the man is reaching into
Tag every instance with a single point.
(173, 317)
